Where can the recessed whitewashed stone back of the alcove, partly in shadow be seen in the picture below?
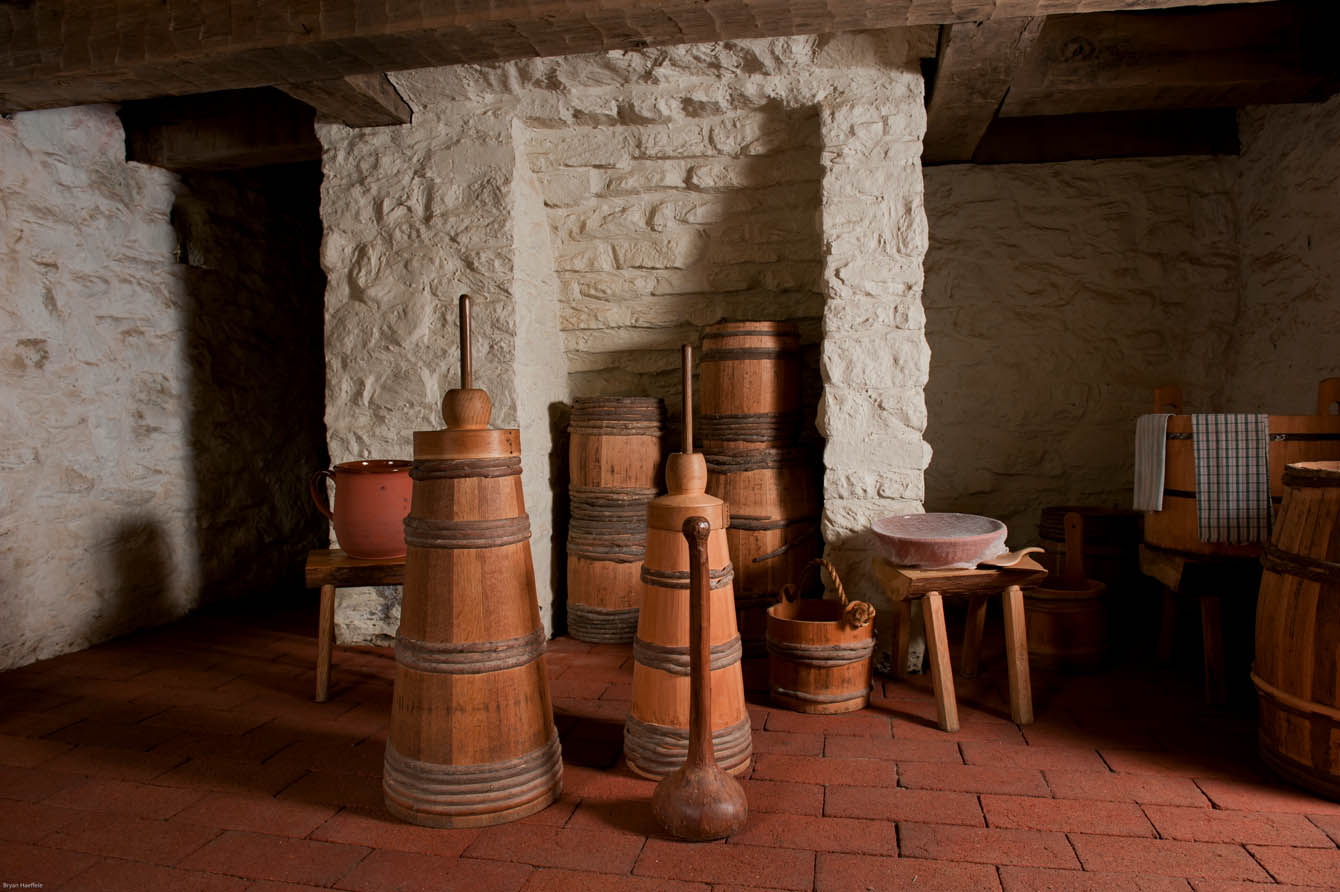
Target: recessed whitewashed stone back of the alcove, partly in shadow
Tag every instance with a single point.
(728, 235)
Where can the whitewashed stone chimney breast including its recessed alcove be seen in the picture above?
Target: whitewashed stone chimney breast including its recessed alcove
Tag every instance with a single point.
(754, 180)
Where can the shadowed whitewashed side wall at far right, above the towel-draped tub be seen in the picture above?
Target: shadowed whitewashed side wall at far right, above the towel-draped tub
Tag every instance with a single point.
(1287, 337)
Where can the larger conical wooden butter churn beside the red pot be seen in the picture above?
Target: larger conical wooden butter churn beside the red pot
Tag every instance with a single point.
(472, 739)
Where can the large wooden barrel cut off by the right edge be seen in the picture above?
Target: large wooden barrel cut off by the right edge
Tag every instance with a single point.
(1298, 633)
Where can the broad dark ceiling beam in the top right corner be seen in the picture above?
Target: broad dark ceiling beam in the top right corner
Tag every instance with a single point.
(1231, 57)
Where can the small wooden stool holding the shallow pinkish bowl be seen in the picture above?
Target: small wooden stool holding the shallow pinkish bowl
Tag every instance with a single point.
(907, 585)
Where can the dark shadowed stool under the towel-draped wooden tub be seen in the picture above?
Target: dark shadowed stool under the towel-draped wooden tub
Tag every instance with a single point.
(1208, 578)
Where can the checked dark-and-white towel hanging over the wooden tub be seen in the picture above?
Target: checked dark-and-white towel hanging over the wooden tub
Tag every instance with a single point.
(1232, 477)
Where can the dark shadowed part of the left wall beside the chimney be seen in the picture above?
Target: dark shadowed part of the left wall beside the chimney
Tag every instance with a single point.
(255, 349)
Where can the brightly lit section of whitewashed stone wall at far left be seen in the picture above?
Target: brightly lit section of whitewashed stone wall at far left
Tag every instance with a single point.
(96, 499)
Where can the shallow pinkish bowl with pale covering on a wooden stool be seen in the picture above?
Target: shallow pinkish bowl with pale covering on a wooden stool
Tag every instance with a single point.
(940, 542)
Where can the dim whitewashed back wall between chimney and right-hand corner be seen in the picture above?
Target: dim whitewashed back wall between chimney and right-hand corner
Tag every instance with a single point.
(1058, 297)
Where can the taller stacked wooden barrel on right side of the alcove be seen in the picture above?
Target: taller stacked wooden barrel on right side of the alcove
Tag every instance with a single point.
(751, 394)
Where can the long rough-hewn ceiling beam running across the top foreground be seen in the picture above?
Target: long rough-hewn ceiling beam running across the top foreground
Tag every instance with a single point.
(61, 53)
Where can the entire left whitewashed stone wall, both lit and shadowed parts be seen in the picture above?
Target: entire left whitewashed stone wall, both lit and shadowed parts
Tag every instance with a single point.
(161, 398)
